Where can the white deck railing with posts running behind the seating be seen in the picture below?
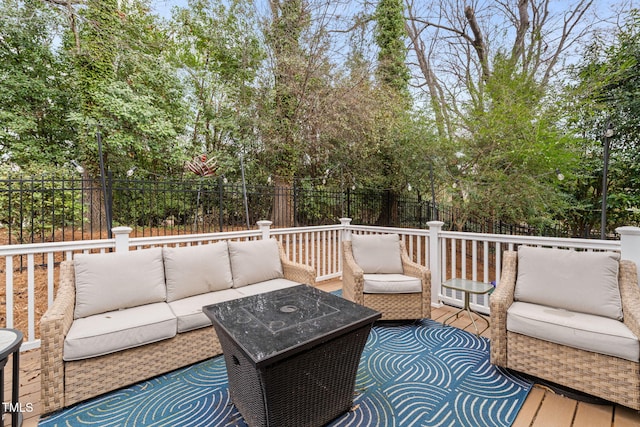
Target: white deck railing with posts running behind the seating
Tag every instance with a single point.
(30, 271)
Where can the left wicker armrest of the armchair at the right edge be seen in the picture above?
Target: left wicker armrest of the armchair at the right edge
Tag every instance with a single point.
(499, 302)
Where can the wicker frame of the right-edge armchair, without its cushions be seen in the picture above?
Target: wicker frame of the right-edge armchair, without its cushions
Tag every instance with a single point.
(611, 378)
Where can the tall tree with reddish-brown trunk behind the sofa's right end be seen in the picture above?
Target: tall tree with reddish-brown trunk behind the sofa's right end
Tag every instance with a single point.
(291, 108)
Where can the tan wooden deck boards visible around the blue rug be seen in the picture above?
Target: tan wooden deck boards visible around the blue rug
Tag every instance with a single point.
(543, 408)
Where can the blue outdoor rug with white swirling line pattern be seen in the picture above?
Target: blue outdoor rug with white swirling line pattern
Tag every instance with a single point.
(411, 374)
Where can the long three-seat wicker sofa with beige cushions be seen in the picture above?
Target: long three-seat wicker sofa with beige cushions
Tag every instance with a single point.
(119, 318)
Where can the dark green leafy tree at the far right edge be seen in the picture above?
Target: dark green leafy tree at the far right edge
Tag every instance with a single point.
(605, 93)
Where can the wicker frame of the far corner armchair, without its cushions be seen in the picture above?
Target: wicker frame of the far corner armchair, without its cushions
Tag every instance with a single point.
(393, 305)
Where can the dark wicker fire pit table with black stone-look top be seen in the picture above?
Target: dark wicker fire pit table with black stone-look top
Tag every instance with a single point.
(291, 355)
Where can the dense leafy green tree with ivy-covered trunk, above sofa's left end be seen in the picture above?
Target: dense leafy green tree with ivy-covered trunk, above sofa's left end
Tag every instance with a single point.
(128, 90)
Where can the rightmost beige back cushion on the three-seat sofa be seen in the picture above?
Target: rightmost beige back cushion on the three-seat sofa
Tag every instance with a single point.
(255, 261)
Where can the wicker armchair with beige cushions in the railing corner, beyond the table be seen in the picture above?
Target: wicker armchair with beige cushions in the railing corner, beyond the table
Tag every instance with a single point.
(378, 273)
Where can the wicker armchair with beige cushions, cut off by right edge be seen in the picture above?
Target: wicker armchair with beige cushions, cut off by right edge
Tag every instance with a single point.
(576, 325)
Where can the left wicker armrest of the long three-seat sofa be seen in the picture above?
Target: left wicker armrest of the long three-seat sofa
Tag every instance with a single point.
(54, 325)
